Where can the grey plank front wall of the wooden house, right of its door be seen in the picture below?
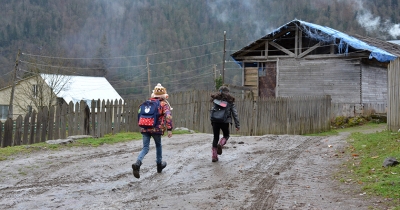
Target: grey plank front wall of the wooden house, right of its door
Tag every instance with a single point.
(338, 78)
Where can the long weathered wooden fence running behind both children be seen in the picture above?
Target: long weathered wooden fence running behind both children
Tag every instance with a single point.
(292, 115)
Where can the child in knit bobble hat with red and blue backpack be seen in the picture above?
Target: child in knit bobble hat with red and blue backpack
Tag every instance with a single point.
(154, 117)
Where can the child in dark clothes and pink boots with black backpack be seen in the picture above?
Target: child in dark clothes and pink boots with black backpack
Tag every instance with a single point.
(221, 116)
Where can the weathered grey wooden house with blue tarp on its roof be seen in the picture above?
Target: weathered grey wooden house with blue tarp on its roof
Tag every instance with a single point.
(303, 59)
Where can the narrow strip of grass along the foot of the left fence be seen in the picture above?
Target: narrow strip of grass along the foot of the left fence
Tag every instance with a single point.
(9, 152)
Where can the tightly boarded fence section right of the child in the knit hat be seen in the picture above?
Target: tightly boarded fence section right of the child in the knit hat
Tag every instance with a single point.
(292, 115)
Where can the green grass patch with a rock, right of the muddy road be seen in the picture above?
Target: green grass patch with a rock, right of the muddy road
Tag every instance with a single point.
(367, 151)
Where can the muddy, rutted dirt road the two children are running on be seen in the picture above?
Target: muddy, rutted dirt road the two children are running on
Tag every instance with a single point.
(262, 172)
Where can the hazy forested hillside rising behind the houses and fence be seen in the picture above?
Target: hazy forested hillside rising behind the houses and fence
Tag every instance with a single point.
(180, 41)
